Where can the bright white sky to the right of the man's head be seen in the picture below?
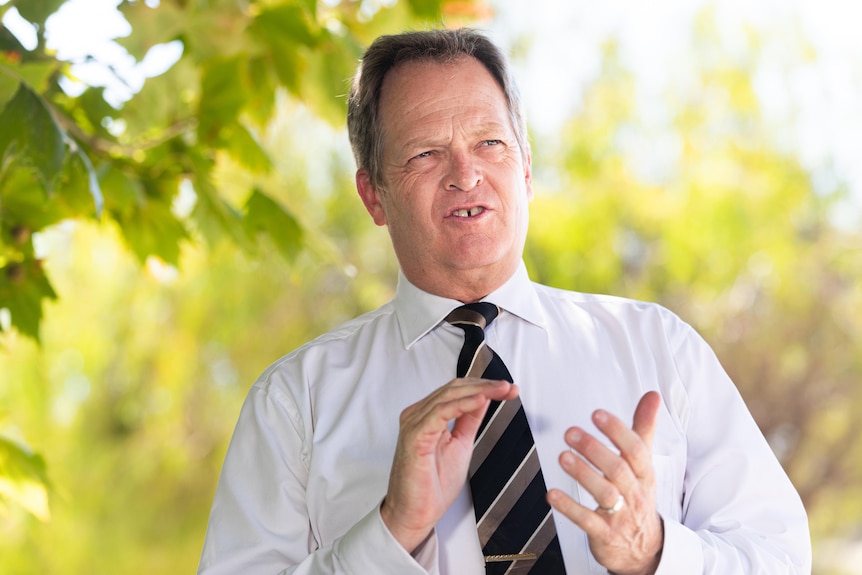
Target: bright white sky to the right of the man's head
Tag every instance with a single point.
(817, 103)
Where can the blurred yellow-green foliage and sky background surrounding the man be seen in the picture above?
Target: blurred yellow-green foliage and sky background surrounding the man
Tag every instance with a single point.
(177, 211)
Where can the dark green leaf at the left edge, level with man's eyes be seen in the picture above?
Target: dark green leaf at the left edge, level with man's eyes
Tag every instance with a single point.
(28, 130)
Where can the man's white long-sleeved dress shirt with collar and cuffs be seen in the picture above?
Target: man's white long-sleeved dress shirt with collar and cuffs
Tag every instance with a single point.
(308, 464)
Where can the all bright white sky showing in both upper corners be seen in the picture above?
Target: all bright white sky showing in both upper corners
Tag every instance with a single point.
(817, 101)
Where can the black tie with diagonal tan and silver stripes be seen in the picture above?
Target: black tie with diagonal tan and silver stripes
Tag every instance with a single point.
(516, 527)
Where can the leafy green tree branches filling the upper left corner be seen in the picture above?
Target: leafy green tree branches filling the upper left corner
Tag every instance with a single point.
(68, 156)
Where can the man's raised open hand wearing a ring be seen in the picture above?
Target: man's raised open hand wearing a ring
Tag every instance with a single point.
(626, 536)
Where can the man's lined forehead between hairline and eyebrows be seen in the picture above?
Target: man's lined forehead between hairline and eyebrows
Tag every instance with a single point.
(421, 93)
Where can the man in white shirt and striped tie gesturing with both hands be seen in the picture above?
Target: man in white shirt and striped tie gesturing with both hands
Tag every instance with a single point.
(352, 453)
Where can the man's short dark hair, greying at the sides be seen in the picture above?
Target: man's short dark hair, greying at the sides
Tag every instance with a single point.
(442, 46)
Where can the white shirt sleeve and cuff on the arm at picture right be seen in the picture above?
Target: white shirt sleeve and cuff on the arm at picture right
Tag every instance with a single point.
(740, 512)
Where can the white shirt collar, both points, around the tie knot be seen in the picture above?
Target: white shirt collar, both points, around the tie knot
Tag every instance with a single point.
(418, 312)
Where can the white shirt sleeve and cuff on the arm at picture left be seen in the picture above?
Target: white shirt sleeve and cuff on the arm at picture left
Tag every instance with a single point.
(259, 523)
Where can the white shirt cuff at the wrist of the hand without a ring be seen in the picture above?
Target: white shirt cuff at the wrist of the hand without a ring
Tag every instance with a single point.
(369, 547)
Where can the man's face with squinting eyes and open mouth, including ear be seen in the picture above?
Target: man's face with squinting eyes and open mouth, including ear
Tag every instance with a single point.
(455, 182)
